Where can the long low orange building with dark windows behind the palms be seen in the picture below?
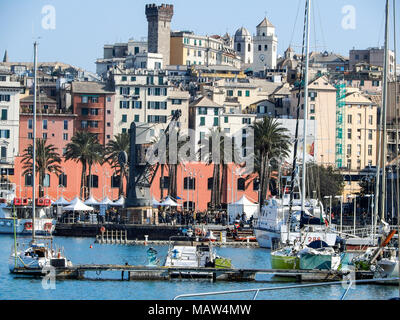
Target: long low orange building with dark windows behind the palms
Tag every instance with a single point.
(194, 182)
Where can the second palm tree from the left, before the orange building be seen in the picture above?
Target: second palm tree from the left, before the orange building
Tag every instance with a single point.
(86, 149)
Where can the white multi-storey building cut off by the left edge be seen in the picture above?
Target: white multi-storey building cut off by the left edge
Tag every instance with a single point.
(9, 120)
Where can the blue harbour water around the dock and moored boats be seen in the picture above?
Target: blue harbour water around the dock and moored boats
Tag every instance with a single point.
(78, 250)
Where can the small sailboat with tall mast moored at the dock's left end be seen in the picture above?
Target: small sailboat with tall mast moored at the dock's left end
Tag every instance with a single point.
(39, 255)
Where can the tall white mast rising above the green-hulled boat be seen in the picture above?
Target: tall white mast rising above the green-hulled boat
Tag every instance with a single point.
(303, 182)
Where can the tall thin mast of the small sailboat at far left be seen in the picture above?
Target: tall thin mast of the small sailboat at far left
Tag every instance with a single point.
(34, 142)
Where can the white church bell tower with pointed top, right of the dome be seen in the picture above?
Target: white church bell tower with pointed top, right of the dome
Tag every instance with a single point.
(265, 47)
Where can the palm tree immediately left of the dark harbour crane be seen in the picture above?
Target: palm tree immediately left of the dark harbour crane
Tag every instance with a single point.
(121, 143)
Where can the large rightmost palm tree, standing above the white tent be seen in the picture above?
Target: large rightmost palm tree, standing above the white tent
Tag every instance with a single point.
(270, 141)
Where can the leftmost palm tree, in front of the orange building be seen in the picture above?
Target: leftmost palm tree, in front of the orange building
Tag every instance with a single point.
(47, 160)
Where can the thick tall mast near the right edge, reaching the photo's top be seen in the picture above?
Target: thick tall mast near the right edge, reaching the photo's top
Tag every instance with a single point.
(384, 104)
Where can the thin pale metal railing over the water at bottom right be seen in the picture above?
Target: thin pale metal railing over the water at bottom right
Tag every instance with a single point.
(347, 283)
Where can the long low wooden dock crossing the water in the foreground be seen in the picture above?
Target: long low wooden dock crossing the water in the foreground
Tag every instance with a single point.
(150, 273)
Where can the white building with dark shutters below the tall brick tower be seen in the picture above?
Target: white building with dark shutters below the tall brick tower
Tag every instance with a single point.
(146, 96)
